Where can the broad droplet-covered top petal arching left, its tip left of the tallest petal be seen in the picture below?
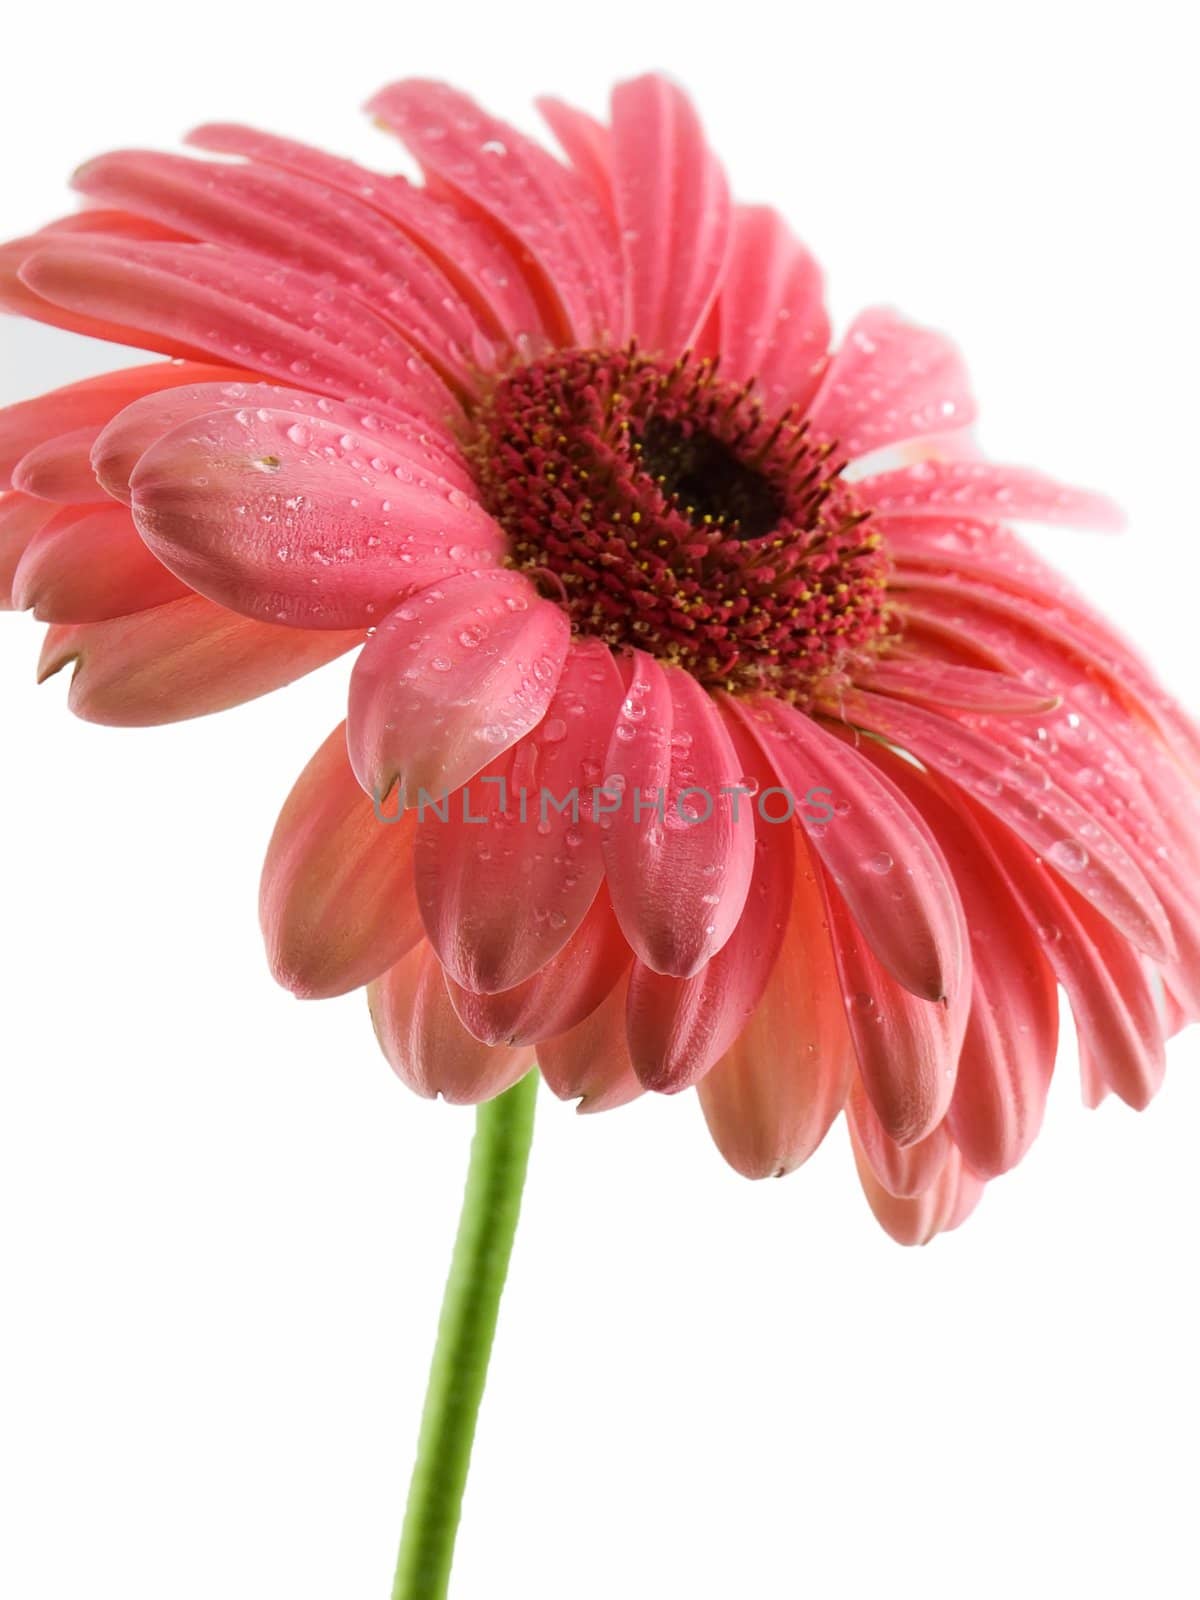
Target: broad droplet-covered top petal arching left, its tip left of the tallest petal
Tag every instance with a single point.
(540, 202)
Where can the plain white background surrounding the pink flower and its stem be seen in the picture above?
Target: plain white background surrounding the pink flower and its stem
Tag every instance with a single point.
(225, 1223)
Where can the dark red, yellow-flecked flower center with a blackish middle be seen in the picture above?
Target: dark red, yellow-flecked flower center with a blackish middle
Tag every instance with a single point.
(666, 510)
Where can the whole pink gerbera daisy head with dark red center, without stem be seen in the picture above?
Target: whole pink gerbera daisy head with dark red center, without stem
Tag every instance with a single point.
(700, 737)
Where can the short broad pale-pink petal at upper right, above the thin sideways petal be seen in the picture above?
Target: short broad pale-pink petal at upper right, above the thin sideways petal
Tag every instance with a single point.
(890, 382)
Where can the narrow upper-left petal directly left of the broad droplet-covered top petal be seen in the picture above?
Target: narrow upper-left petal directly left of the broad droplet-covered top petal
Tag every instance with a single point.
(468, 249)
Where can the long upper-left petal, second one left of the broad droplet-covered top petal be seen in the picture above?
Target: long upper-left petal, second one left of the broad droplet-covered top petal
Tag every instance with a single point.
(295, 222)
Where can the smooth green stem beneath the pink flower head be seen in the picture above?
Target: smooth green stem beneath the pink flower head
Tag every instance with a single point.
(460, 1369)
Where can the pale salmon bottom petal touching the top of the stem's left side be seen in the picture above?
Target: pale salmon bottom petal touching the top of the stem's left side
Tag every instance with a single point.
(425, 1042)
